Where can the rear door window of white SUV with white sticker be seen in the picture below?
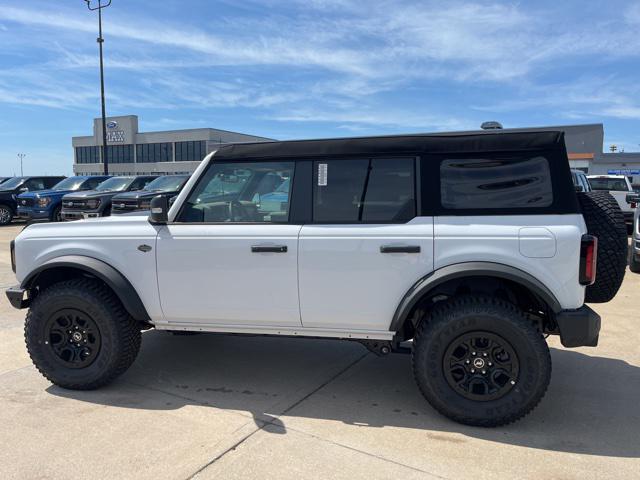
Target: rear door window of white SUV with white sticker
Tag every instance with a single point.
(378, 190)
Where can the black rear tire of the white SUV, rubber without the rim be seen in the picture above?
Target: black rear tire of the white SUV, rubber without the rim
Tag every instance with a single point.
(451, 320)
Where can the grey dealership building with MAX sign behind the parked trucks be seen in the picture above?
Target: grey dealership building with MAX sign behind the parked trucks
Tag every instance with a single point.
(130, 152)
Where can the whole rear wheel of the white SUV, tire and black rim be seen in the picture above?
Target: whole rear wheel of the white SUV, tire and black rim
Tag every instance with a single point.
(479, 361)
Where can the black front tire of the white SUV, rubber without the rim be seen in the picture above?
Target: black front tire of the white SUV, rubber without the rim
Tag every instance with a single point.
(120, 335)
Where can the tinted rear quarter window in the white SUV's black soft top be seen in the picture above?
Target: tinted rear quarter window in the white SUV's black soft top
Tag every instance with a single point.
(505, 182)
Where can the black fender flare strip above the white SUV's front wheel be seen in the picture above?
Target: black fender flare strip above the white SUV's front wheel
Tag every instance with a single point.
(101, 270)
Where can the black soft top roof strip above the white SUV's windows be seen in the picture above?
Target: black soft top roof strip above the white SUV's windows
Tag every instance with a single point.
(501, 141)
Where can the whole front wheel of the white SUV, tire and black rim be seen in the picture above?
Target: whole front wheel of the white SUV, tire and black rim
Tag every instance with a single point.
(79, 336)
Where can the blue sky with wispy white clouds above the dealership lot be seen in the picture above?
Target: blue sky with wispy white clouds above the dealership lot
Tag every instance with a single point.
(314, 68)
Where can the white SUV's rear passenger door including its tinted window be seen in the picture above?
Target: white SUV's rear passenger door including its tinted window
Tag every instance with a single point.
(366, 246)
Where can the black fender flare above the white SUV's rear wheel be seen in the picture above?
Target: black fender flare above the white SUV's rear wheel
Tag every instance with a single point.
(469, 269)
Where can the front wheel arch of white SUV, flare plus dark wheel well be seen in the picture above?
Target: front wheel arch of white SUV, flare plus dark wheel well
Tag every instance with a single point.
(69, 266)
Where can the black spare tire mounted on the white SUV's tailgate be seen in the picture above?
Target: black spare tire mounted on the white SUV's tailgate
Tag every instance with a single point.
(605, 220)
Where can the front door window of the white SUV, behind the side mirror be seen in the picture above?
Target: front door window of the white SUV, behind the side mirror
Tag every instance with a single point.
(241, 192)
